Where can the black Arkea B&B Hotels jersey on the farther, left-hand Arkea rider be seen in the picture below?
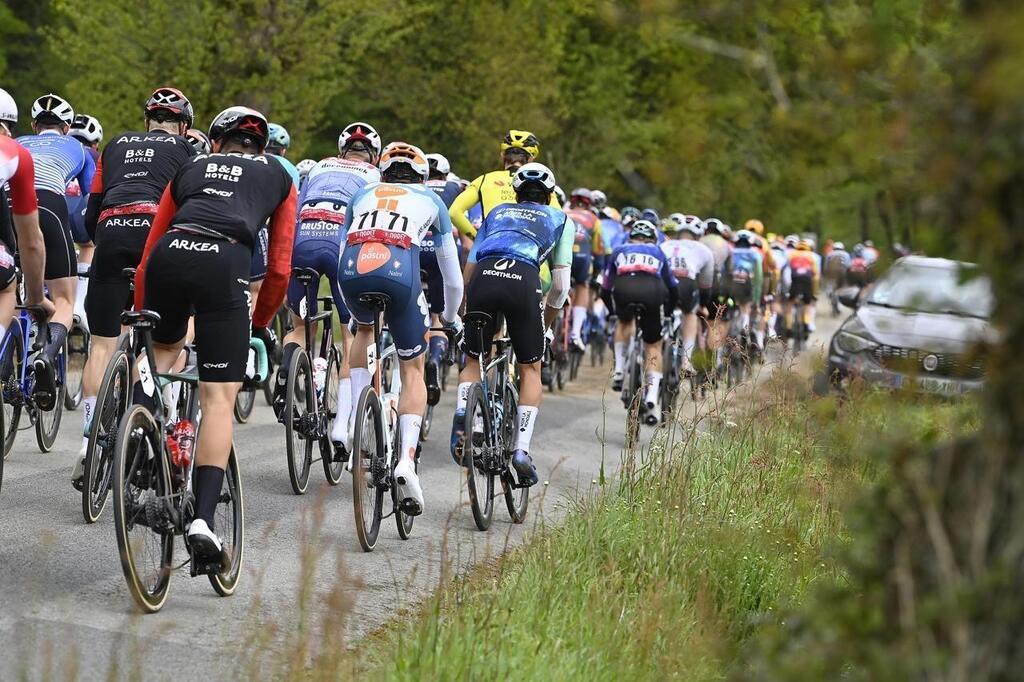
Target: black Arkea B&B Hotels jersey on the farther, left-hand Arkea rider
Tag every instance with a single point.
(136, 167)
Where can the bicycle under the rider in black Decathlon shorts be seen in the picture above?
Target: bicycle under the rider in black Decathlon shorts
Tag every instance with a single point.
(491, 414)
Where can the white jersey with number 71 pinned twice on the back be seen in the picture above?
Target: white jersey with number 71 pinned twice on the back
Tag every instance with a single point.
(396, 215)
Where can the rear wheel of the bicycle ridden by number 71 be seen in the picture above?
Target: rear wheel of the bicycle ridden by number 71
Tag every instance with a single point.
(368, 466)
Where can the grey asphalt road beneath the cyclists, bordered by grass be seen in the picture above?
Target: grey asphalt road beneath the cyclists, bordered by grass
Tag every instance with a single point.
(66, 613)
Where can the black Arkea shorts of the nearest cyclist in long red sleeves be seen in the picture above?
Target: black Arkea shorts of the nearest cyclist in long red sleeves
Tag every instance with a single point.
(188, 273)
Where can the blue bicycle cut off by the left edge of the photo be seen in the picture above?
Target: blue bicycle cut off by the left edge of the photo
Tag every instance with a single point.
(20, 382)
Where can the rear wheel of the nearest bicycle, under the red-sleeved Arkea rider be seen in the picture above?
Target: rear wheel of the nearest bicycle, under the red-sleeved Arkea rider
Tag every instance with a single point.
(143, 527)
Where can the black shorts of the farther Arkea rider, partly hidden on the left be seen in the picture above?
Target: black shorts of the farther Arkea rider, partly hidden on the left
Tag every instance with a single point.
(120, 242)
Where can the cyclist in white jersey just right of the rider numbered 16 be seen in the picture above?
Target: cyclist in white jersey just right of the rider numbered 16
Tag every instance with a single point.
(694, 266)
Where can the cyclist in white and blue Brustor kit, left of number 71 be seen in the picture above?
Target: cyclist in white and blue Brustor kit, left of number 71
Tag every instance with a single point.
(328, 191)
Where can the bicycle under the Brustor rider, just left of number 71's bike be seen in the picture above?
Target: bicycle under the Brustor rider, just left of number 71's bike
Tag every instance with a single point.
(312, 394)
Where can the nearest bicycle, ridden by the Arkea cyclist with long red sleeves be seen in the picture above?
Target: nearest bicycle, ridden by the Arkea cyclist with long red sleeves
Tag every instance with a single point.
(153, 496)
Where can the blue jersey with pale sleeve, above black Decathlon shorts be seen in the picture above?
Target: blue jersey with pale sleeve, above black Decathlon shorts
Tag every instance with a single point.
(526, 232)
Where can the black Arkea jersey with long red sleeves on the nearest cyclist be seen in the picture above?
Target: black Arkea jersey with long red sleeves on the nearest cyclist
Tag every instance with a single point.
(233, 196)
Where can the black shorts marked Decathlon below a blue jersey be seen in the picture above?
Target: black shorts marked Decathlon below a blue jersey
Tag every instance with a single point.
(510, 288)
